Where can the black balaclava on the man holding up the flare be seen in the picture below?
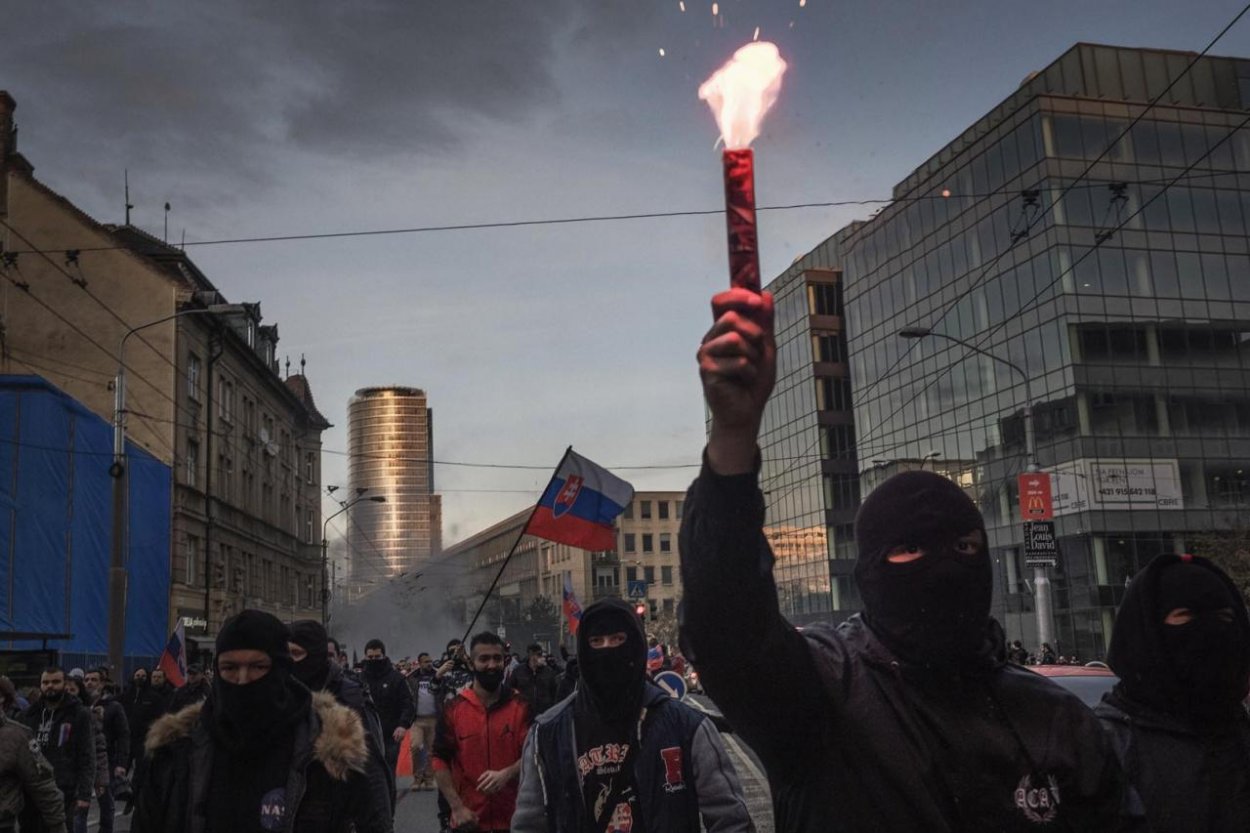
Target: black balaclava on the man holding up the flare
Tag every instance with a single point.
(936, 610)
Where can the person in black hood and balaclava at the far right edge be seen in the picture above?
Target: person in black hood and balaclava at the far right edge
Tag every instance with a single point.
(1182, 650)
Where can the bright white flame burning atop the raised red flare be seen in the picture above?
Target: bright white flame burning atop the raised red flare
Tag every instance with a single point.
(743, 92)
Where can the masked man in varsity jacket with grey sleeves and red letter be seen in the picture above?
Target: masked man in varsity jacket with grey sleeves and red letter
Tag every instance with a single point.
(621, 755)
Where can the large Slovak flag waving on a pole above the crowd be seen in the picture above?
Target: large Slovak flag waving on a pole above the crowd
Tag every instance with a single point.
(581, 505)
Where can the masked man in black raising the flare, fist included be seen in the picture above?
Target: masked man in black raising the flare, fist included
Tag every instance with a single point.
(907, 717)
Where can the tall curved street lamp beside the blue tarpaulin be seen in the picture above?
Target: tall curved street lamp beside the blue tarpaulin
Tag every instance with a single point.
(118, 576)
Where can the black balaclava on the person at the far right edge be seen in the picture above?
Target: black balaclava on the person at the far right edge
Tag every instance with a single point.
(1198, 672)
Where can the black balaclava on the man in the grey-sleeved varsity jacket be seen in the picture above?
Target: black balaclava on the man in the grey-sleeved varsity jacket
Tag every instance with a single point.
(612, 680)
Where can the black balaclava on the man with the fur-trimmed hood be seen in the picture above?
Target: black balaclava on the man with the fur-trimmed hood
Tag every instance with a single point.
(247, 716)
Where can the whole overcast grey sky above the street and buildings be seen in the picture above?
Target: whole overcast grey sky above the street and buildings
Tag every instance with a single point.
(321, 116)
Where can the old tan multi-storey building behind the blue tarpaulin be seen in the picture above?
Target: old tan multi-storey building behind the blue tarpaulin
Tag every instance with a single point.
(204, 393)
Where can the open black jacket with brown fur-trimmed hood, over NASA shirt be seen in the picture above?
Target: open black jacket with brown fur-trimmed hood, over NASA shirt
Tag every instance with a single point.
(327, 791)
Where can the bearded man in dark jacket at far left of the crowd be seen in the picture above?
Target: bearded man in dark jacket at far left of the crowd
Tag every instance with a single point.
(64, 732)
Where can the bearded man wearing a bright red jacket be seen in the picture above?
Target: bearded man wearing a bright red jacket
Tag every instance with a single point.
(478, 744)
